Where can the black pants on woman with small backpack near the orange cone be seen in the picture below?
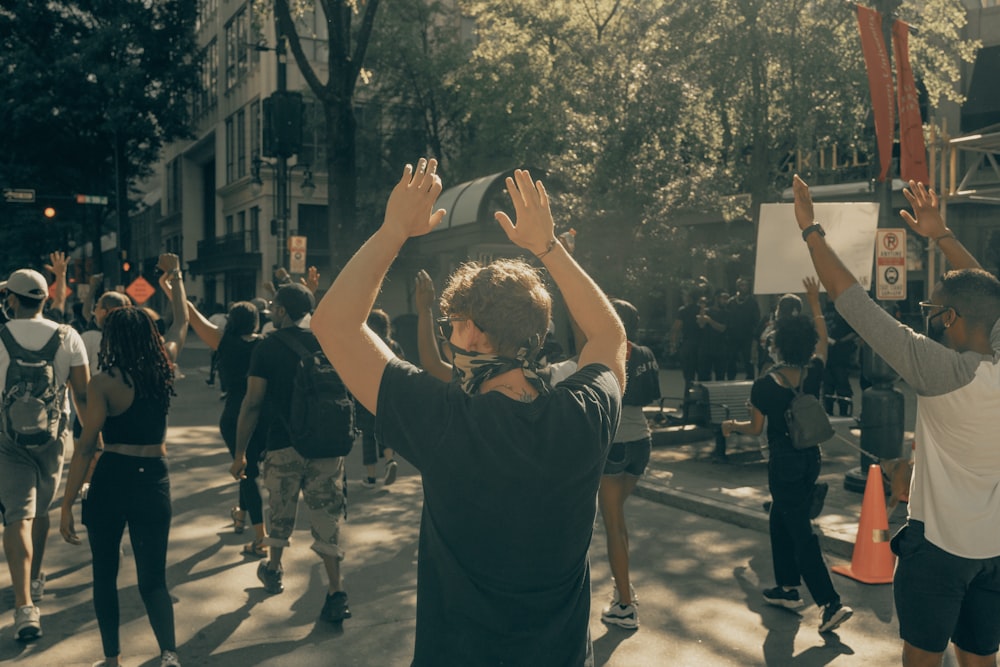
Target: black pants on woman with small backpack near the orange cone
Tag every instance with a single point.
(791, 476)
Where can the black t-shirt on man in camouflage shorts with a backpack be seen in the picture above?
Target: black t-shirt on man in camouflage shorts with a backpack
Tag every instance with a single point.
(276, 362)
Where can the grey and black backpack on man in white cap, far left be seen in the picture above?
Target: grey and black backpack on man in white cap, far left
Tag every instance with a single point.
(33, 400)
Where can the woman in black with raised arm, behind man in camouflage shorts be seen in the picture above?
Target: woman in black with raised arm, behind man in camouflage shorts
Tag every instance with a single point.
(234, 344)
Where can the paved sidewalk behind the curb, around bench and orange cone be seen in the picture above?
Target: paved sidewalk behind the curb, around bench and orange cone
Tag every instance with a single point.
(684, 476)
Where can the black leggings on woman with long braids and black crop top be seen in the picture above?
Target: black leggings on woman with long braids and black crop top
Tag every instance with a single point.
(132, 490)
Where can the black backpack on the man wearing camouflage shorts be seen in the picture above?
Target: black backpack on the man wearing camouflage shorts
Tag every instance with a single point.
(321, 421)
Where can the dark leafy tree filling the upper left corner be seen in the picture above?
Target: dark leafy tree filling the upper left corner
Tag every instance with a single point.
(92, 91)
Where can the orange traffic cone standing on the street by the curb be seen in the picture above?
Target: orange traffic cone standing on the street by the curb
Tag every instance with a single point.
(873, 561)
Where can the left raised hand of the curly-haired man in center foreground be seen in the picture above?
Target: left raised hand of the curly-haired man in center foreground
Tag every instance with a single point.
(409, 209)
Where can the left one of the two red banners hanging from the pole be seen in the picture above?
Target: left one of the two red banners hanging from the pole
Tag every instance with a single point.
(879, 83)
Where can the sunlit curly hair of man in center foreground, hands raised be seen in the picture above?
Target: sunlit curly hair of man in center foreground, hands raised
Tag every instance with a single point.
(506, 299)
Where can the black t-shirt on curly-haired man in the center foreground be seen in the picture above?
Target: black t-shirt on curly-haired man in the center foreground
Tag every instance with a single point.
(503, 576)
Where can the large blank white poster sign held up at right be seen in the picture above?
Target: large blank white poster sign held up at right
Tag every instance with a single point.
(783, 258)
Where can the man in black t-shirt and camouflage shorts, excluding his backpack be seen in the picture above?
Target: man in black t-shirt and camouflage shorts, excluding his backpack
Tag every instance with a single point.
(286, 473)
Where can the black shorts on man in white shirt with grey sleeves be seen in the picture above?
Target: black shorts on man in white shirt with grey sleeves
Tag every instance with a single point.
(940, 596)
